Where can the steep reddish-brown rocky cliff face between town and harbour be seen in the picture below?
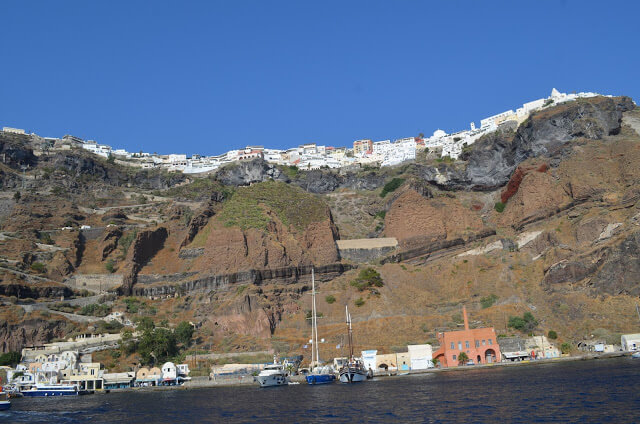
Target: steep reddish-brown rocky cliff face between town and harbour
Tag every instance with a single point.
(543, 218)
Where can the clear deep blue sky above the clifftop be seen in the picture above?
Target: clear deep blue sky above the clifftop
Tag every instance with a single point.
(206, 77)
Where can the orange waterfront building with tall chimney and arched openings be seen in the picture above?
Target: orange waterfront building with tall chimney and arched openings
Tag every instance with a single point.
(480, 345)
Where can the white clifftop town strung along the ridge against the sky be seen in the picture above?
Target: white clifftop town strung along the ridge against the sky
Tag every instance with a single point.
(312, 156)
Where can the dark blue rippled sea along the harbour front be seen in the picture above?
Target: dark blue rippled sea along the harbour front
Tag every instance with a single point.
(595, 391)
